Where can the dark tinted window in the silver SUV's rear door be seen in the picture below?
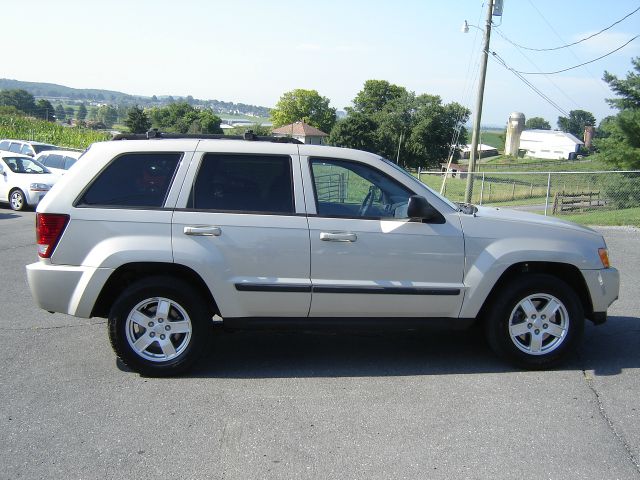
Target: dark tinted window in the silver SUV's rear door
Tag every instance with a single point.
(244, 183)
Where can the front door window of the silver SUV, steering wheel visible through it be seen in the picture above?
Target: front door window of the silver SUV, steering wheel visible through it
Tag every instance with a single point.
(351, 189)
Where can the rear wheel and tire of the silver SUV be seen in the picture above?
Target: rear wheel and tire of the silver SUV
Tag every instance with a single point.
(159, 326)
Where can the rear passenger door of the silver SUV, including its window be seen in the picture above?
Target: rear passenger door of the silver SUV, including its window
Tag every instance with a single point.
(241, 224)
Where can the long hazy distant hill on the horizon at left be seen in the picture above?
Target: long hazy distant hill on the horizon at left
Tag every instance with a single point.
(61, 93)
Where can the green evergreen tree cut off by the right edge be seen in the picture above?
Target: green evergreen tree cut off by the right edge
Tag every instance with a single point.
(619, 142)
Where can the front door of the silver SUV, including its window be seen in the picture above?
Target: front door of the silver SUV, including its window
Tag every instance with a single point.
(368, 259)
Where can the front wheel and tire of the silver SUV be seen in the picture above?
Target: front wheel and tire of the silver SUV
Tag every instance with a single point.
(535, 322)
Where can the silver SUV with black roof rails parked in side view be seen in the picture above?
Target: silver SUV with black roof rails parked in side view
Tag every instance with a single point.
(159, 236)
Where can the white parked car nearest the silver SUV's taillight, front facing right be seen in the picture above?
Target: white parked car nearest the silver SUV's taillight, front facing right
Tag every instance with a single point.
(23, 180)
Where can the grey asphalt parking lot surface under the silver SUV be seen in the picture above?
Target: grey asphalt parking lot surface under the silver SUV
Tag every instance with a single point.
(288, 405)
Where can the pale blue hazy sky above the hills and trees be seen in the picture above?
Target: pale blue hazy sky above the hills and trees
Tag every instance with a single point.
(254, 51)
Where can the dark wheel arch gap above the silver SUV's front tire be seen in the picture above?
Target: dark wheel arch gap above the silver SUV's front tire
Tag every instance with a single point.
(570, 274)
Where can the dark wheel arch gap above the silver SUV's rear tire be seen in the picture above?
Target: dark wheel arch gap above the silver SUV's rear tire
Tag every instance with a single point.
(129, 273)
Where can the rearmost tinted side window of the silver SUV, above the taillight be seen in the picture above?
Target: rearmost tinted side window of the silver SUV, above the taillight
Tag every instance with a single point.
(133, 180)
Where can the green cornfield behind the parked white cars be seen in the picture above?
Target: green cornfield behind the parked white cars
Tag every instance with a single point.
(24, 128)
